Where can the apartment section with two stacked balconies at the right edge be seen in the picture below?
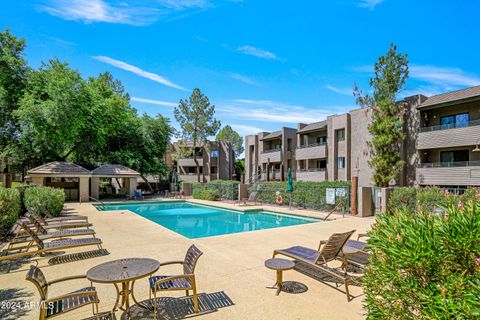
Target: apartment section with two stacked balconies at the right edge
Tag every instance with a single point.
(448, 139)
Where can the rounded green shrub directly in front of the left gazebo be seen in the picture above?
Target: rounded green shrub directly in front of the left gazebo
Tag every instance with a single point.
(44, 199)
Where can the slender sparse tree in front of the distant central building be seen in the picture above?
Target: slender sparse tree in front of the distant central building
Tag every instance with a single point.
(196, 117)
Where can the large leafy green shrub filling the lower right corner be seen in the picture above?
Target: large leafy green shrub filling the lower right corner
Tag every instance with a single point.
(425, 266)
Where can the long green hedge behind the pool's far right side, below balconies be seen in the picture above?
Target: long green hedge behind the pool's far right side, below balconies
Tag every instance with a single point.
(308, 195)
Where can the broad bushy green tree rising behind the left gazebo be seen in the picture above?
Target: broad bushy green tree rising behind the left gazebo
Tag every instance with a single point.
(55, 112)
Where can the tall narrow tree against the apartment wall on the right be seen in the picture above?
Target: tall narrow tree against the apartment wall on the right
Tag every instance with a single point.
(386, 128)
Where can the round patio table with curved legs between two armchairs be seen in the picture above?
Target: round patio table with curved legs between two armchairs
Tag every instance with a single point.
(126, 272)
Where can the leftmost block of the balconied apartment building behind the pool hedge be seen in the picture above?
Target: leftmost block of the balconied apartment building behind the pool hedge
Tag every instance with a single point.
(269, 155)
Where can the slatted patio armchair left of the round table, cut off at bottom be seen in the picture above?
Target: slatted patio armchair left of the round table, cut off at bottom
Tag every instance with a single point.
(51, 307)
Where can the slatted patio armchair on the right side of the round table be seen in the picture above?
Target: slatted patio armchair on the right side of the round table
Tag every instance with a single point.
(185, 281)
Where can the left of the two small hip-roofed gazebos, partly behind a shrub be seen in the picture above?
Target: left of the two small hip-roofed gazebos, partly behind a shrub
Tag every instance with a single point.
(70, 177)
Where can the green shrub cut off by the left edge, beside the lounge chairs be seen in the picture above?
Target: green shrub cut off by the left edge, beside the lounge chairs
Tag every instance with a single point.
(9, 209)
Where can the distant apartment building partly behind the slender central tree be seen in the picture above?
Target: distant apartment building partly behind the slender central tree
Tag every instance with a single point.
(215, 163)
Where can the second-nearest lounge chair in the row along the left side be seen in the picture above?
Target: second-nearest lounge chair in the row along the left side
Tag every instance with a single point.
(23, 237)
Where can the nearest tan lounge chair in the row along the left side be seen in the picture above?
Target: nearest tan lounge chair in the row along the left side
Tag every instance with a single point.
(43, 247)
